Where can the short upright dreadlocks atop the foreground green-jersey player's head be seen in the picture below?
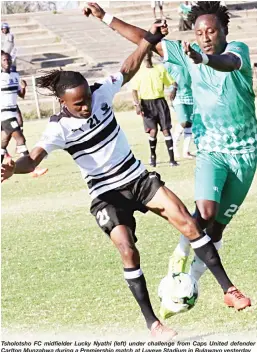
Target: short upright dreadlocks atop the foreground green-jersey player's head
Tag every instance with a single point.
(209, 8)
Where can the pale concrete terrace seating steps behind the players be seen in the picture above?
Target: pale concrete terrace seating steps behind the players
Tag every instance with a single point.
(69, 40)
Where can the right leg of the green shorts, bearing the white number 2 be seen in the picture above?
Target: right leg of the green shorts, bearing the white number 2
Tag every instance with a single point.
(237, 186)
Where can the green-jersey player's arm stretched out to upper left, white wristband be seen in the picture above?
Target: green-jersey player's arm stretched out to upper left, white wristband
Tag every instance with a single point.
(132, 33)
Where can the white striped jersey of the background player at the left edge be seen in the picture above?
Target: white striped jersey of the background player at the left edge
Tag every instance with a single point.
(9, 94)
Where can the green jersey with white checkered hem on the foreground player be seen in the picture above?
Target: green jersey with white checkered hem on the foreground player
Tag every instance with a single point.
(224, 119)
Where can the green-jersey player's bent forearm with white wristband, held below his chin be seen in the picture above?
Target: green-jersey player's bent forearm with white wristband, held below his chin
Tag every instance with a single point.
(225, 63)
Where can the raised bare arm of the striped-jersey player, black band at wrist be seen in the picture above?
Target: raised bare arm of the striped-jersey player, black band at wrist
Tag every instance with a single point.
(132, 64)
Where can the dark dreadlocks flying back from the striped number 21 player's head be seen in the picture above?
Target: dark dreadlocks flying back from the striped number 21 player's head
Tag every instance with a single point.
(58, 81)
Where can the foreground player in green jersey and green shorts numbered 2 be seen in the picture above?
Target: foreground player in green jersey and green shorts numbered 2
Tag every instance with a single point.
(224, 125)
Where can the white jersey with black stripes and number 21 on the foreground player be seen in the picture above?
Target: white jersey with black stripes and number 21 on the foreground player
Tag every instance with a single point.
(97, 144)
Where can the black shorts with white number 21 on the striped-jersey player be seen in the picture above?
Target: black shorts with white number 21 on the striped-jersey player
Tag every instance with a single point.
(117, 206)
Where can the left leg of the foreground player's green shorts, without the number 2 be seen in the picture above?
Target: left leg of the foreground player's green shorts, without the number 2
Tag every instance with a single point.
(210, 176)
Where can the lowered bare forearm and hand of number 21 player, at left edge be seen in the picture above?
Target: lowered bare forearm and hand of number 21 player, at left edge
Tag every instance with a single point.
(24, 165)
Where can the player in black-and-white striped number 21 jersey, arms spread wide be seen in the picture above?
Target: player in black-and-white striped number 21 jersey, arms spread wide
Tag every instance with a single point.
(118, 183)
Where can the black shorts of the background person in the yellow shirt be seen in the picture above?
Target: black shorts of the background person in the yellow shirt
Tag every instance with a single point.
(156, 112)
